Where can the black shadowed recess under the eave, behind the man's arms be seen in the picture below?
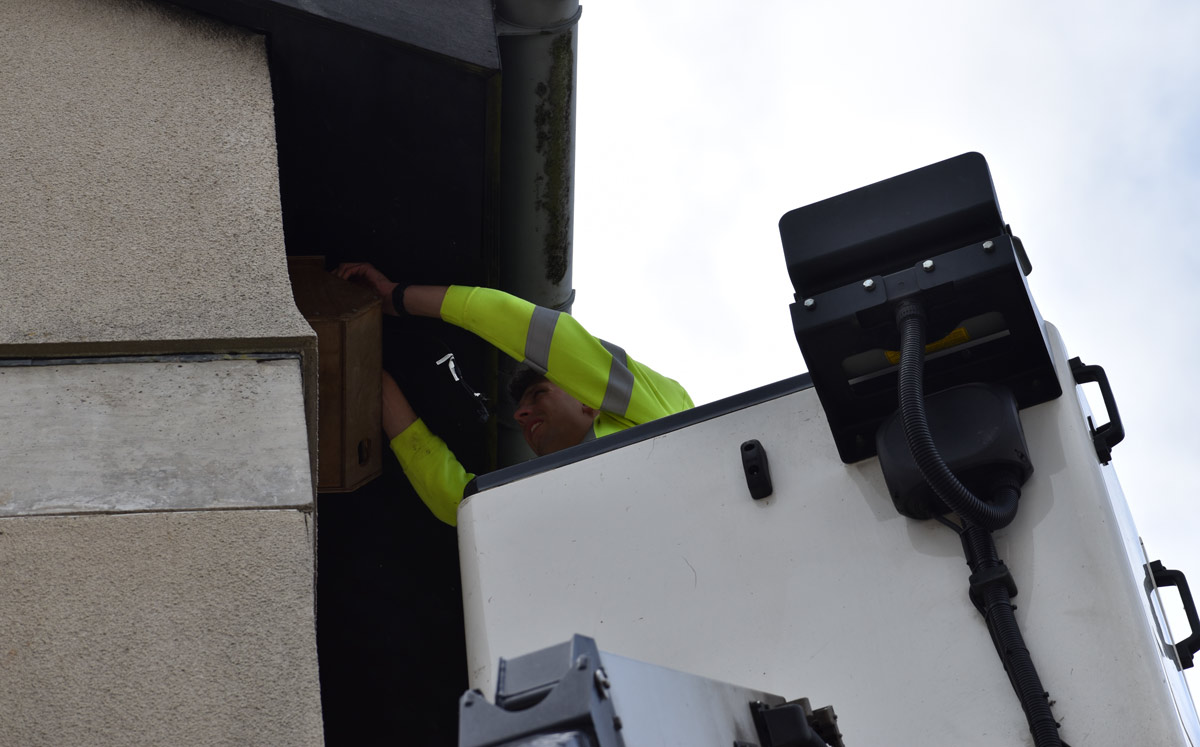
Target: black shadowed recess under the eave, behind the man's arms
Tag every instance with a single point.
(388, 141)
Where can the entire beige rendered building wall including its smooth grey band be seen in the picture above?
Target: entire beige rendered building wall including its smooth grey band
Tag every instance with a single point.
(157, 390)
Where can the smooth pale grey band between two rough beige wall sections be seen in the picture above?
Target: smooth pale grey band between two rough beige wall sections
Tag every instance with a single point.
(153, 437)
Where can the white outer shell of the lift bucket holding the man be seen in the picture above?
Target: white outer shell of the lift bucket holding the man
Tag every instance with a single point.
(823, 590)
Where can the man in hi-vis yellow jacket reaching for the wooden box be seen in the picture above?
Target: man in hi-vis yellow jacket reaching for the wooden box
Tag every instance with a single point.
(581, 387)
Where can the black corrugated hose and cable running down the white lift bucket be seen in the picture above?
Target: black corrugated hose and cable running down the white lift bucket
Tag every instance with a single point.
(980, 518)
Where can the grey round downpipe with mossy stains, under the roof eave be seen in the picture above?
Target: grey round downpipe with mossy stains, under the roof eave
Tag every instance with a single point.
(538, 41)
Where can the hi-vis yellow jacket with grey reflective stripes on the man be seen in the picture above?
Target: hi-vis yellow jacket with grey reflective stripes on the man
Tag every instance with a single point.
(598, 374)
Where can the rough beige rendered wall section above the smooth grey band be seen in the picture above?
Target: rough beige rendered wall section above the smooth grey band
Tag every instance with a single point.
(141, 206)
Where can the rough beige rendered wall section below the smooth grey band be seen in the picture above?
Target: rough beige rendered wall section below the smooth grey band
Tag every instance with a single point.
(164, 629)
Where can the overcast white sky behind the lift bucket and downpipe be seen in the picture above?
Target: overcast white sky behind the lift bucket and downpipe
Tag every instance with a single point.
(701, 124)
